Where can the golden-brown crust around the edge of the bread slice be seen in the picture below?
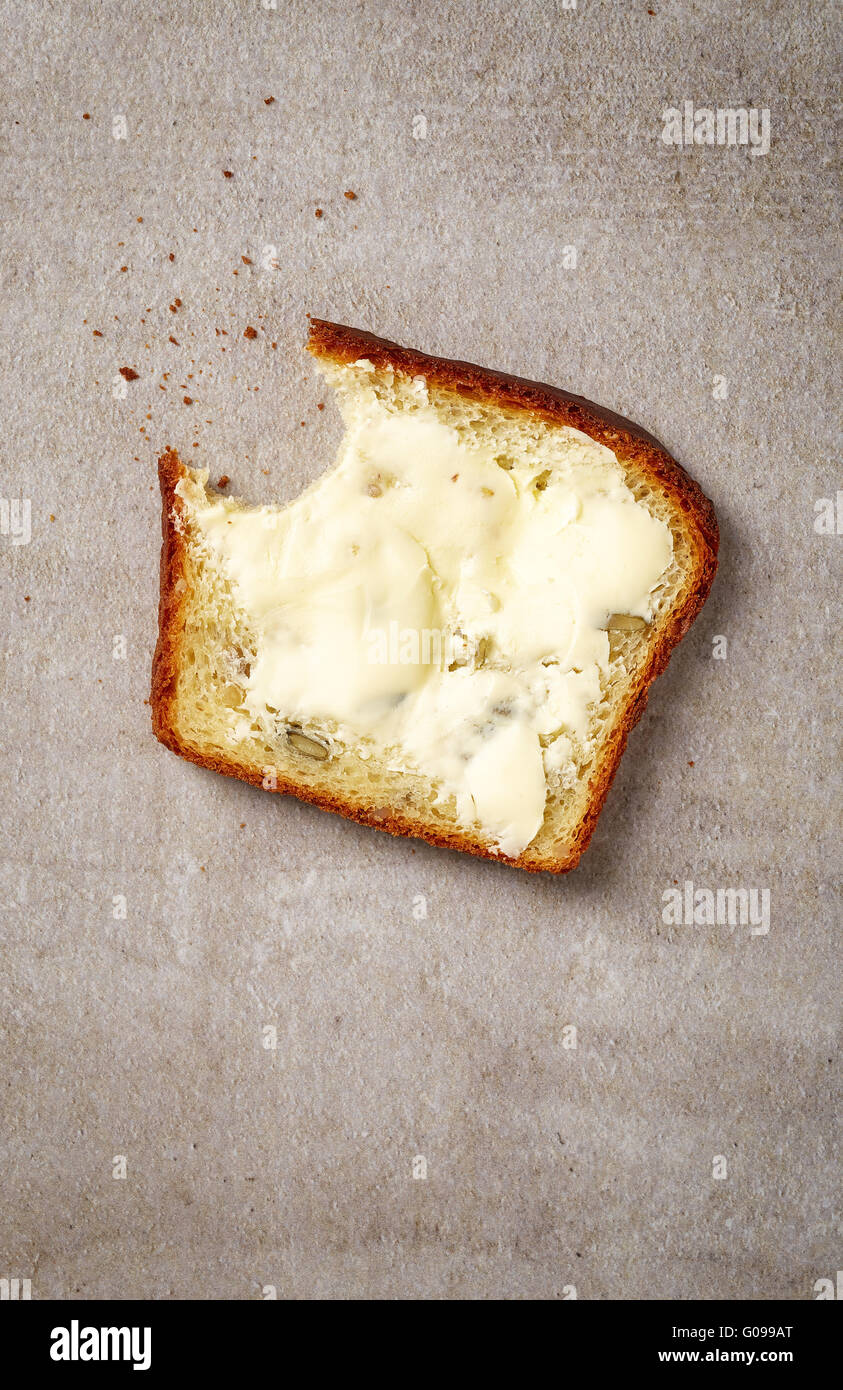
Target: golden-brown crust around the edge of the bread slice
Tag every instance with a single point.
(343, 345)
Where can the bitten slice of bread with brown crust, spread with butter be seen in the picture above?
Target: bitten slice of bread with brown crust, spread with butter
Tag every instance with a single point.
(507, 746)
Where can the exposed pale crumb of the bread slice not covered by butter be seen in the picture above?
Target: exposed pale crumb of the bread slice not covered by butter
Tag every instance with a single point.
(220, 643)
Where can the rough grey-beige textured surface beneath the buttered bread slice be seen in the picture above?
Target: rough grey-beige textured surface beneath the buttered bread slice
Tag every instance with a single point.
(547, 1167)
